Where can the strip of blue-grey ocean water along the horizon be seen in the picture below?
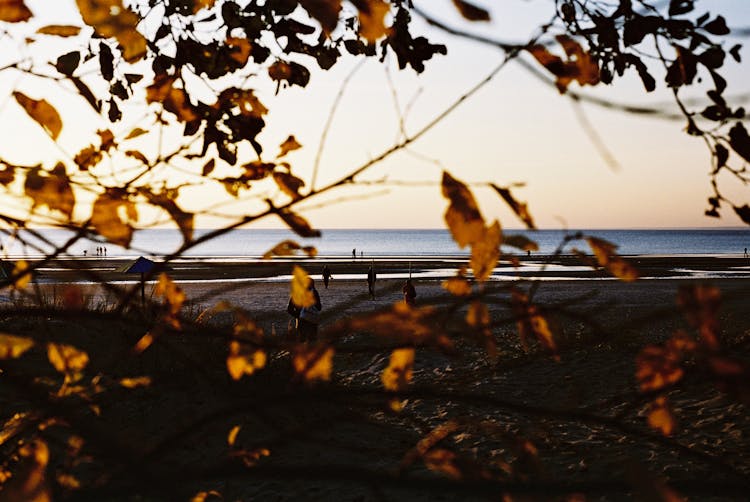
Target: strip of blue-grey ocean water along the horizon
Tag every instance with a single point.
(251, 243)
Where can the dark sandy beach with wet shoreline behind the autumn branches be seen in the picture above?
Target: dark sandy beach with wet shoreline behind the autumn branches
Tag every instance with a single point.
(537, 423)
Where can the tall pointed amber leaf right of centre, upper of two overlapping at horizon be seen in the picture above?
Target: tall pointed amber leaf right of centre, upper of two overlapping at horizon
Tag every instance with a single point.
(462, 216)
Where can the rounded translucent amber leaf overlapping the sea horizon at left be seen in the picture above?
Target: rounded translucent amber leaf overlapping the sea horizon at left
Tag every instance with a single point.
(112, 215)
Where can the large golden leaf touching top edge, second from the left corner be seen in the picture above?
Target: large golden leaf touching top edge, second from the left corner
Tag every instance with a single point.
(110, 18)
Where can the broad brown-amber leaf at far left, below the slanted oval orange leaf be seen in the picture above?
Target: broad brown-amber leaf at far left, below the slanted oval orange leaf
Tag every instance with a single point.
(51, 189)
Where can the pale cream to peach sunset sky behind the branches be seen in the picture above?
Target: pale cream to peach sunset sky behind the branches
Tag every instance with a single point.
(515, 130)
